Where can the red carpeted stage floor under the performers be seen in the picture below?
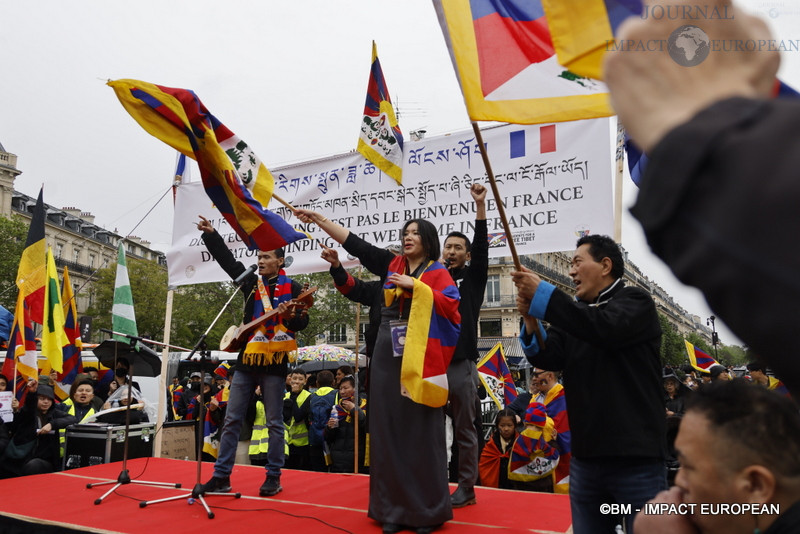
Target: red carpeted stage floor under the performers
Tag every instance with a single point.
(309, 502)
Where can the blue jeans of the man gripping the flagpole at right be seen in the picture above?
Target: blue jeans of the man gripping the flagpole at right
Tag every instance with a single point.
(611, 481)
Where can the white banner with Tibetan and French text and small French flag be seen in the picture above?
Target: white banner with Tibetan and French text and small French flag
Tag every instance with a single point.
(555, 182)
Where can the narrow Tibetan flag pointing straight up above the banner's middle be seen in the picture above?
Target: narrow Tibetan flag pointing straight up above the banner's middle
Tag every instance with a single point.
(380, 139)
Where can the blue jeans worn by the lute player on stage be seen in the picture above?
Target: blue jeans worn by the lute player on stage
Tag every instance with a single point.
(244, 383)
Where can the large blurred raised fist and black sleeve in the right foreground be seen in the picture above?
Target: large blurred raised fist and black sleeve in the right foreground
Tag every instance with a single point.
(718, 199)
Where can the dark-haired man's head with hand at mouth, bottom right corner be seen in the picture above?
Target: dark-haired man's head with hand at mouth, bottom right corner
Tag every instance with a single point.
(738, 446)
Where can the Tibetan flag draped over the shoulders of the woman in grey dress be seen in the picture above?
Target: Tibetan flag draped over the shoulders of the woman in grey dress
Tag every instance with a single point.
(430, 338)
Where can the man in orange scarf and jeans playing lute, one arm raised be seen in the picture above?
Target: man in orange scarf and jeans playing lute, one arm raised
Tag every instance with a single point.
(263, 359)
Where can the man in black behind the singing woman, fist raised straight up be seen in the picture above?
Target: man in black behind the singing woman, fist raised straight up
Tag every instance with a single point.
(462, 376)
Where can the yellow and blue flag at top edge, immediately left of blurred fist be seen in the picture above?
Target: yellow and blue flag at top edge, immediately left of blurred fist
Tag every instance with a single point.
(583, 29)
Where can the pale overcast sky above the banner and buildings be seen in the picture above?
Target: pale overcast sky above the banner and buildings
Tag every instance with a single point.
(288, 77)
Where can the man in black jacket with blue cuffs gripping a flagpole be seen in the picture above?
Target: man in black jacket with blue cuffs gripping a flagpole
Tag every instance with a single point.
(606, 341)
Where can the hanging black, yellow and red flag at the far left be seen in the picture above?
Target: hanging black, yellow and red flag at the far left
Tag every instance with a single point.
(31, 273)
